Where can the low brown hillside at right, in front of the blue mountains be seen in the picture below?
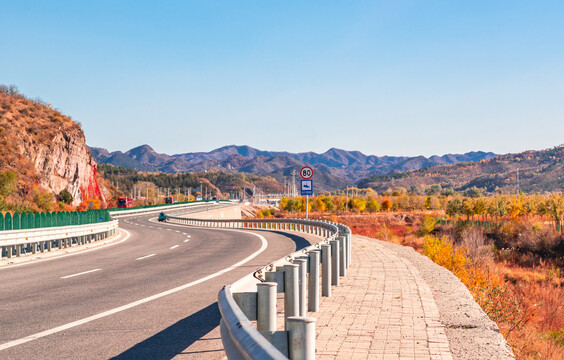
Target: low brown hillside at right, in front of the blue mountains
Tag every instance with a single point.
(529, 172)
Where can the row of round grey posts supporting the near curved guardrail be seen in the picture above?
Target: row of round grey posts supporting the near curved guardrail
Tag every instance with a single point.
(302, 281)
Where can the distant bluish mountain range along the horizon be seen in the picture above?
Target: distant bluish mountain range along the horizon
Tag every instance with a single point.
(334, 168)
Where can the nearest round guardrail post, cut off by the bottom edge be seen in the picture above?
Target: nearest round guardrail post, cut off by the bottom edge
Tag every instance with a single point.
(301, 338)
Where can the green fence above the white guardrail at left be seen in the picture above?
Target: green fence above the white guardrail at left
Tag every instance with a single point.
(41, 220)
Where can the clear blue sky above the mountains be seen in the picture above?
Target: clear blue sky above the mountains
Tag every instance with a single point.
(381, 77)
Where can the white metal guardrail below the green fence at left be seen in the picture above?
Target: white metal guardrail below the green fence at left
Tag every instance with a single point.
(18, 242)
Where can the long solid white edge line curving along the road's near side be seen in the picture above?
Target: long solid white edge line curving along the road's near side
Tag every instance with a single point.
(136, 303)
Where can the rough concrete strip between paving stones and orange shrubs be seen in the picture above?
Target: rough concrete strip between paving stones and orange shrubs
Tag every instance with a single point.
(471, 334)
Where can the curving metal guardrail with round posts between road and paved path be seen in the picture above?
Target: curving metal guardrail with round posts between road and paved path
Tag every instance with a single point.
(248, 307)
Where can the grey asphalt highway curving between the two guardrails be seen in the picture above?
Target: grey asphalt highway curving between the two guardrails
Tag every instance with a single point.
(153, 295)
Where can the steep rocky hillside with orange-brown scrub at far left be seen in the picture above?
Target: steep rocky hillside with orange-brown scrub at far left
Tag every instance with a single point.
(46, 151)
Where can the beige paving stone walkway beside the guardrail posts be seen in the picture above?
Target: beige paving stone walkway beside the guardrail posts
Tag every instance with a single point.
(383, 309)
